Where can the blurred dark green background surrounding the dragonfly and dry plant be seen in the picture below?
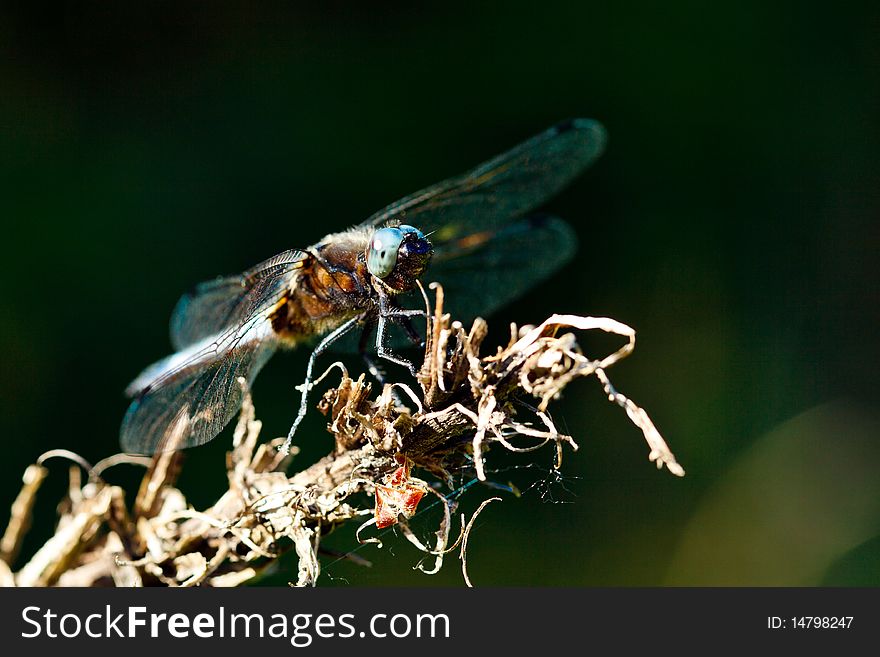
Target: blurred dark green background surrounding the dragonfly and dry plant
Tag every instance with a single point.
(732, 222)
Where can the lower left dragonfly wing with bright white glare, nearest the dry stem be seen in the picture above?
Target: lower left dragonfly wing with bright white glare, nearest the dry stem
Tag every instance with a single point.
(187, 399)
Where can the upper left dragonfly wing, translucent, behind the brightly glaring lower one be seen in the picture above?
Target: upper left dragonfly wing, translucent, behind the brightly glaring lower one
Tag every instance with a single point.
(215, 306)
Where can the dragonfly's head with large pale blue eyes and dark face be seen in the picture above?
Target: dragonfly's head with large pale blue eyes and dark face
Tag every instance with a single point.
(398, 255)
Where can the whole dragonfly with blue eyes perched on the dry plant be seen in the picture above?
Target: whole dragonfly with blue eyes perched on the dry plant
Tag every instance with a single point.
(480, 234)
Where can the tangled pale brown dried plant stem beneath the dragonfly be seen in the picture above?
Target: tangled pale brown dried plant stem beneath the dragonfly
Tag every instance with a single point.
(465, 403)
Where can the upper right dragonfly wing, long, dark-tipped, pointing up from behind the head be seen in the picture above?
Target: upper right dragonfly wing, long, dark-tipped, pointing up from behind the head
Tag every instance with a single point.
(503, 188)
